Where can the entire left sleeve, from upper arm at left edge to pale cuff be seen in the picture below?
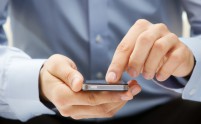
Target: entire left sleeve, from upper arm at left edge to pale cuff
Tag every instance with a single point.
(19, 90)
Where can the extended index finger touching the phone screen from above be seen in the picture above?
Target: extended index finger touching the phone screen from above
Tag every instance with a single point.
(123, 51)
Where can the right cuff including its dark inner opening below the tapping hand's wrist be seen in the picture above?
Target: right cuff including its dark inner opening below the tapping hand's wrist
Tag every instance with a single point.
(192, 89)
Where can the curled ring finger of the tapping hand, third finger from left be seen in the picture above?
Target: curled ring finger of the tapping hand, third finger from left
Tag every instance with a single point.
(157, 53)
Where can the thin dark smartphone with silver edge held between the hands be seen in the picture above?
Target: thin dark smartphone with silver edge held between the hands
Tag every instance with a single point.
(102, 85)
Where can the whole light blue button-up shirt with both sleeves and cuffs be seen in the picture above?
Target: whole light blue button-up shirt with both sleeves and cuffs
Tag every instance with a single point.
(87, 31)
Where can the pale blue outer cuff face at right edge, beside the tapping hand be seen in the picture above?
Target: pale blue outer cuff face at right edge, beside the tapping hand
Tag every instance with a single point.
(192, 90)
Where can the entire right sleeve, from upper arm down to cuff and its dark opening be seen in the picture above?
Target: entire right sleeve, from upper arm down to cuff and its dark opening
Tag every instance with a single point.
(191, 89)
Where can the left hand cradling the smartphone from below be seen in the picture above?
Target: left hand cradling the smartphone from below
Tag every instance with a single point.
(60, 83)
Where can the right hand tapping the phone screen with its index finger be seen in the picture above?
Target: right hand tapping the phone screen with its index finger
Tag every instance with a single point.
(150, 49)
